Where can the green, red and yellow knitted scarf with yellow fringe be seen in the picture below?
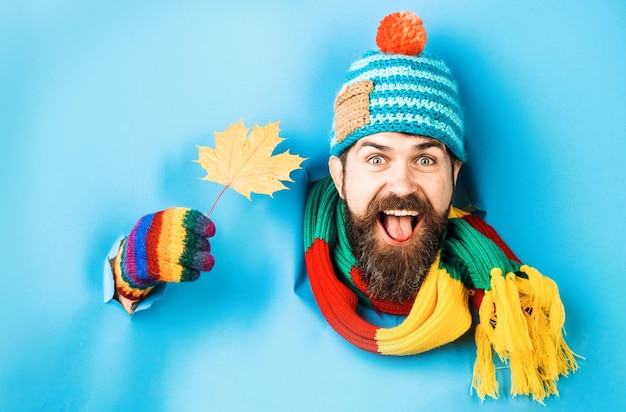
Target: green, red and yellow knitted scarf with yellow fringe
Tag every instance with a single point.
(521, 316)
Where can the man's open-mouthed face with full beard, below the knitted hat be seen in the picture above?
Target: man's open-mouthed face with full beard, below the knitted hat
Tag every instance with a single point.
(398, 189)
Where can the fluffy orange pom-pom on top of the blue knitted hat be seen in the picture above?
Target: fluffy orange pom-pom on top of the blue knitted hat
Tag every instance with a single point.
(401, 33)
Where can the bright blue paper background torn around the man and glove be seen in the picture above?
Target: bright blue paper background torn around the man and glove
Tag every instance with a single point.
(102, 104)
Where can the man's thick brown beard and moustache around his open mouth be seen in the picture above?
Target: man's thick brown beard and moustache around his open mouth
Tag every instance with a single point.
(395, 273)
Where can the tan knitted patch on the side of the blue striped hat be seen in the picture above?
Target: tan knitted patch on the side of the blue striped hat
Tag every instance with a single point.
(352, 108)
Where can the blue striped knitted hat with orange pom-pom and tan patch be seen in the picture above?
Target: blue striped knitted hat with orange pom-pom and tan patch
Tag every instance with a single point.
(399, 89)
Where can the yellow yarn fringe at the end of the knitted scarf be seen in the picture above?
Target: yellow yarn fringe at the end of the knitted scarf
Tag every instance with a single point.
(521, 320)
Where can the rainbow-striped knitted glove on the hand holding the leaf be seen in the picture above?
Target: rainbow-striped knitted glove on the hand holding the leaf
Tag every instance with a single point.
(167, 246)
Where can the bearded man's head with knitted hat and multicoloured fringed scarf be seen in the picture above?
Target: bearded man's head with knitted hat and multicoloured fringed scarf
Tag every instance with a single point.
(381, 231)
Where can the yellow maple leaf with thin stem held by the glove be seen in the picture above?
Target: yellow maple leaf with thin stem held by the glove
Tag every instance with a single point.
(246, 163)
